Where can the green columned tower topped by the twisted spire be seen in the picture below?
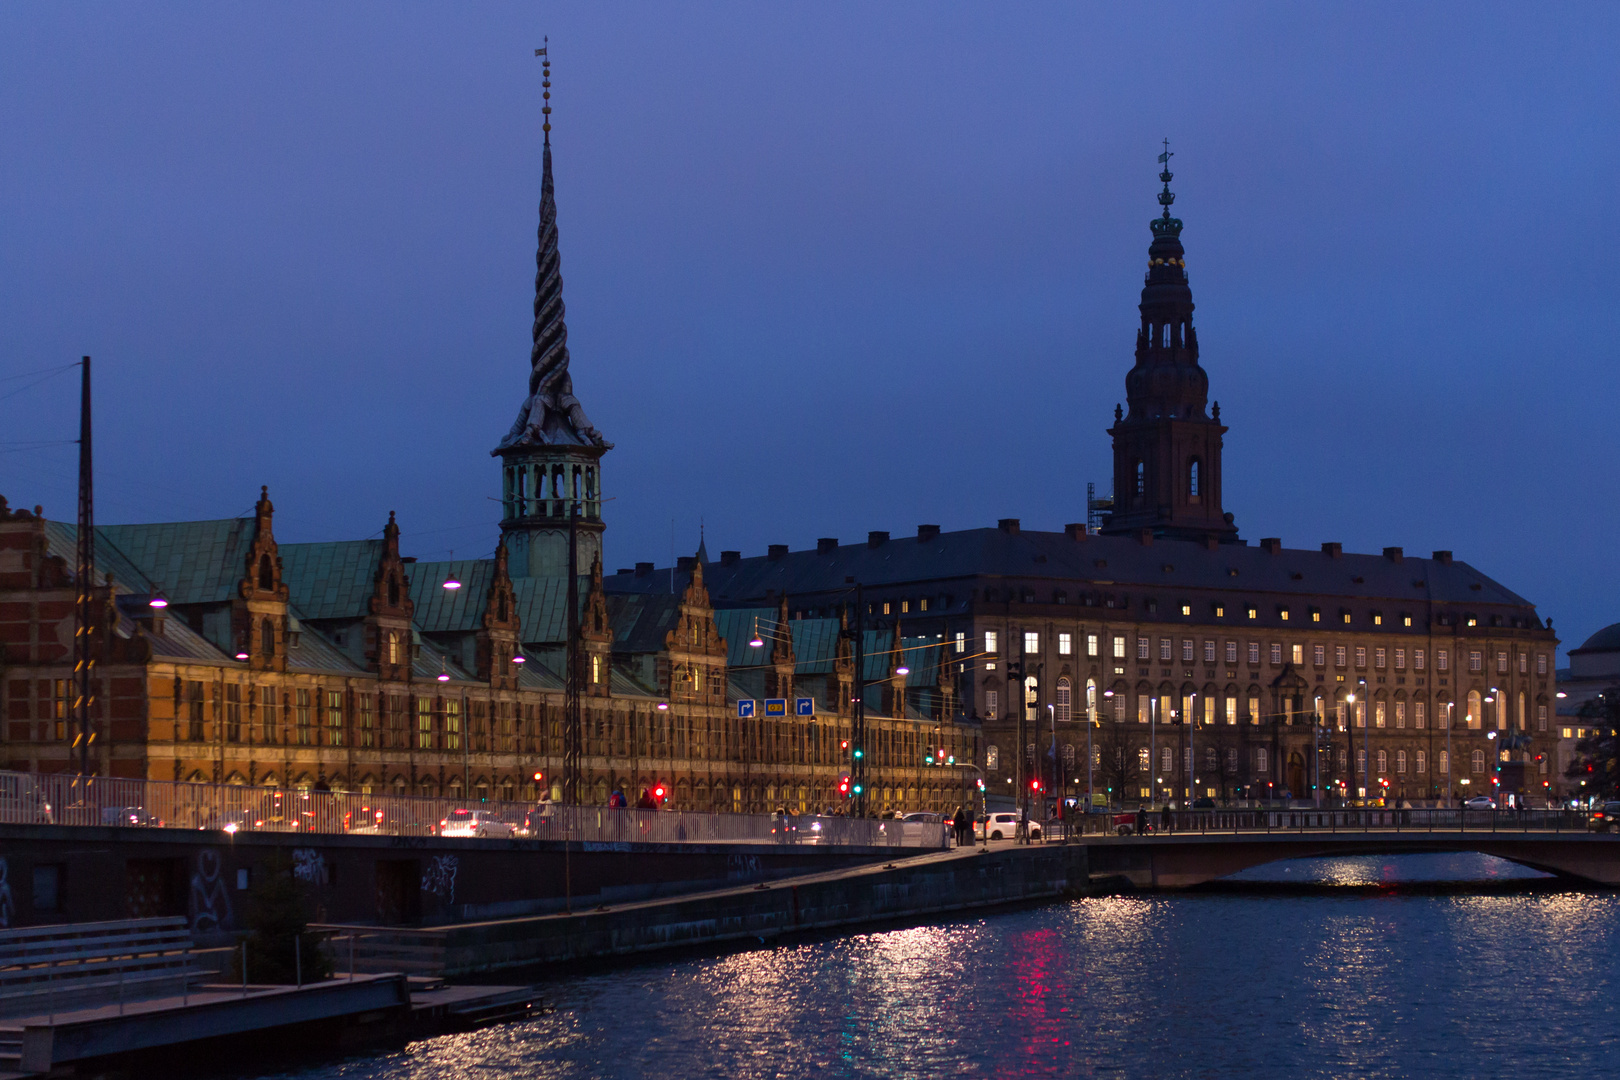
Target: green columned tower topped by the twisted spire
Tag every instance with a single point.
(552, 459)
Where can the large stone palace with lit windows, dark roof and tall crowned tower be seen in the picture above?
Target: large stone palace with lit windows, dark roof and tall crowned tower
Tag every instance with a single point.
(1185, 661)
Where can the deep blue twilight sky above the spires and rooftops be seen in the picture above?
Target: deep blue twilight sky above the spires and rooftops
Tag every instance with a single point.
(829, 268)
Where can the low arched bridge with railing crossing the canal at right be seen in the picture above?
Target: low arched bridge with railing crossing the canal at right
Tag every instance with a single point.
(1206, 846)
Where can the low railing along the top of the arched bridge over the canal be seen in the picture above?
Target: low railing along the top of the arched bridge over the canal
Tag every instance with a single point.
(1329, 820)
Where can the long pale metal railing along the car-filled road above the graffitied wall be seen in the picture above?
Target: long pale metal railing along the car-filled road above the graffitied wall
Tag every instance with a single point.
(72, 801)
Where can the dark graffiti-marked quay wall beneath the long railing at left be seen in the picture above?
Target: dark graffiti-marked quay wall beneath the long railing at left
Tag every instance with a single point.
(88, 874)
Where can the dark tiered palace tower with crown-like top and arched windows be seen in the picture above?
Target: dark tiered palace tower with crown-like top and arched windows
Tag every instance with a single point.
(1167, 446)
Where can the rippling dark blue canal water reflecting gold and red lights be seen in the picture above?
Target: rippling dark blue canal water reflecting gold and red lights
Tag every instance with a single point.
(1354, 967)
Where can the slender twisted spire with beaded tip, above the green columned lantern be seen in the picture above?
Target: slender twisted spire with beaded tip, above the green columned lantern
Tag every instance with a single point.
(552, 415)
